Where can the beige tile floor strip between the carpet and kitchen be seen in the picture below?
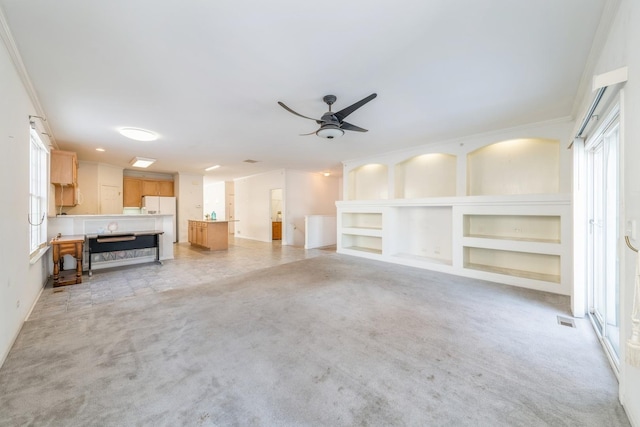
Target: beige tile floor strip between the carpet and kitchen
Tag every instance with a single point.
(190, 266)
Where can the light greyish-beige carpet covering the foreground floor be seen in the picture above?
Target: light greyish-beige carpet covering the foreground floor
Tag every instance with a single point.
(332, 341)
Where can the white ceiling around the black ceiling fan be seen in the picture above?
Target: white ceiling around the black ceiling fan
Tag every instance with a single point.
(207, 75)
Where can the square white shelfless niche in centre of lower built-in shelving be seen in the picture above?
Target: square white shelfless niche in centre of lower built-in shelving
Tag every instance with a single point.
(424, 233)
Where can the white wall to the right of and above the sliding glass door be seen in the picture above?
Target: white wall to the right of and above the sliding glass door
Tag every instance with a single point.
(623, 49)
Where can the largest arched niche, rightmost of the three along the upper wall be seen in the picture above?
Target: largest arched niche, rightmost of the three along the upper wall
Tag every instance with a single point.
(518, 166)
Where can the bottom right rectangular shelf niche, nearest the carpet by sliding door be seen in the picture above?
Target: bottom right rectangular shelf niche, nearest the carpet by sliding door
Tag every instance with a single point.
(528, 265)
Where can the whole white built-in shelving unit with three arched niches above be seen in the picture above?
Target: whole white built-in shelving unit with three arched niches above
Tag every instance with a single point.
(508, 222)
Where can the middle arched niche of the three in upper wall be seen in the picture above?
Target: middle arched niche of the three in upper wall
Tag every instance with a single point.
(427, 175)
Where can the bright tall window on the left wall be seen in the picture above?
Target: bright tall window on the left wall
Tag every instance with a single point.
(38, 183)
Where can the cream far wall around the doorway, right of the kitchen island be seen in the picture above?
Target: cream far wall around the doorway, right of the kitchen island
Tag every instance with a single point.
(252, 199)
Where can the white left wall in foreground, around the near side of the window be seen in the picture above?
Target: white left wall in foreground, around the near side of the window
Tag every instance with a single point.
(20, 281)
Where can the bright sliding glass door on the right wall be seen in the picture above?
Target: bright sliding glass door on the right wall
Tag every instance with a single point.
(603, 200)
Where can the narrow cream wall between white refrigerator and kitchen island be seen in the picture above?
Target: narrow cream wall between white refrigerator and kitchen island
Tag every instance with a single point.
(189, 193)
